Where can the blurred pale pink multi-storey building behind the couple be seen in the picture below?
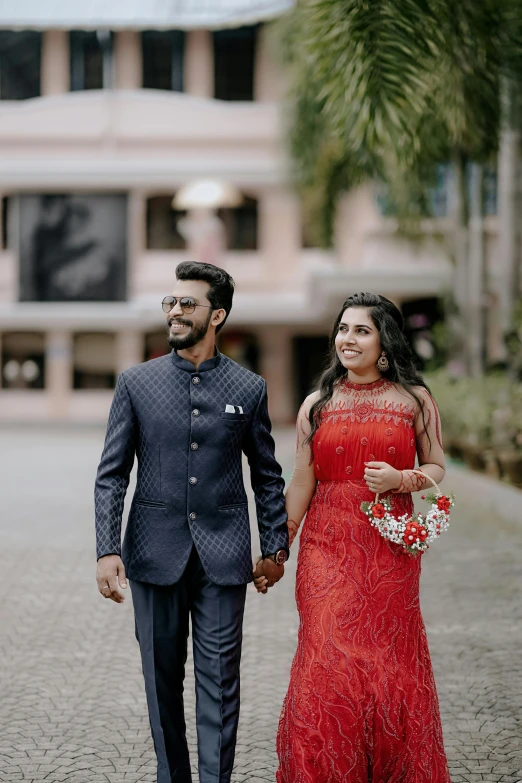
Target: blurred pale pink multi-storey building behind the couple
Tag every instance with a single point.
(105, 111)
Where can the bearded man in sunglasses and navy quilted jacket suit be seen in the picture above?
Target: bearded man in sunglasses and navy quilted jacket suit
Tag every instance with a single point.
(188, 416)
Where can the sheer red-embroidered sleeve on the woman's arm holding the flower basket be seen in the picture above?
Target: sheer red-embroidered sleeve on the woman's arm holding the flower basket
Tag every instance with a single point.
(430, 453)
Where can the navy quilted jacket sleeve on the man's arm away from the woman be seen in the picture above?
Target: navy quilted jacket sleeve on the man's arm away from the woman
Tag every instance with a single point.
(114, 470)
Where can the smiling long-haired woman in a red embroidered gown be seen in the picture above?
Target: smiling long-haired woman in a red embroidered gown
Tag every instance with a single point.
(361, 706)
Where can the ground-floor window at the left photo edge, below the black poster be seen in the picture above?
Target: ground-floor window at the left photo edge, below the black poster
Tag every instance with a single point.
(23, 360)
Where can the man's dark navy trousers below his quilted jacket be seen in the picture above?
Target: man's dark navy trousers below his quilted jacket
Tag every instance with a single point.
(162, 626)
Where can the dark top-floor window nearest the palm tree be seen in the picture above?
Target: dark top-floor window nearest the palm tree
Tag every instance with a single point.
(234, 58)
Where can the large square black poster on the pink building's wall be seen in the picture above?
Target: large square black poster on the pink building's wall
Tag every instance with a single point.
(73, 248)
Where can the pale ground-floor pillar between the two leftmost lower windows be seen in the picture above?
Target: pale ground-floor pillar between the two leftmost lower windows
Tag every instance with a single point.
(58, 372)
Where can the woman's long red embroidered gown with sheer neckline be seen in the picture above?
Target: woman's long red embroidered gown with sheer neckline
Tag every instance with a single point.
(361, 705)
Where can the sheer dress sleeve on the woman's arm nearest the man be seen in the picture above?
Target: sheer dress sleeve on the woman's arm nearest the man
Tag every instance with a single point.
(303, 482)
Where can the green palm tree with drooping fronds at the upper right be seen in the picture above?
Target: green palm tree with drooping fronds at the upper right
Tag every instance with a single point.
(390, 89)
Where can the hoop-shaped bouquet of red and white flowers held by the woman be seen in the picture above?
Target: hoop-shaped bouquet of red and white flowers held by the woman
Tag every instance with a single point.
(413, 532)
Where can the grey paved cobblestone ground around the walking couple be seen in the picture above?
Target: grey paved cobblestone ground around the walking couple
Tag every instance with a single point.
(72, 706)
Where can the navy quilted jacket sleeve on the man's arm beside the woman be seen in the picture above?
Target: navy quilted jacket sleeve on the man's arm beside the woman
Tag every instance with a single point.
(267, 482)
